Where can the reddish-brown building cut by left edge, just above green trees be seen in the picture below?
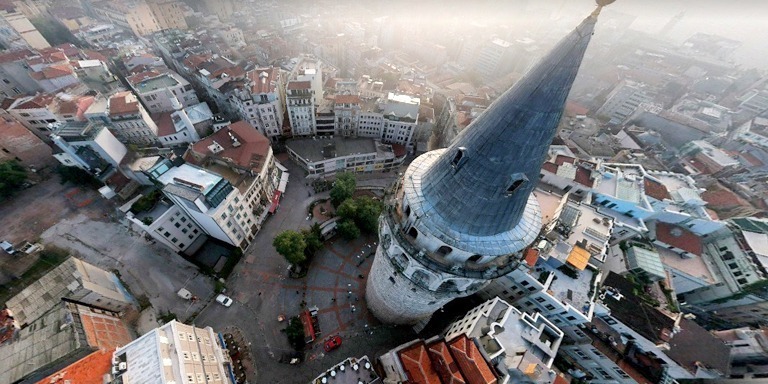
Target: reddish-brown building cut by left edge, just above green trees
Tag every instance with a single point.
(18, 143)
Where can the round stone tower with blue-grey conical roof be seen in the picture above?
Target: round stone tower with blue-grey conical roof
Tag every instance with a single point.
(464, 215)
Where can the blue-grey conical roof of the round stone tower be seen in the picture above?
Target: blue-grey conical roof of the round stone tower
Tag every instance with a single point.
(481, 183)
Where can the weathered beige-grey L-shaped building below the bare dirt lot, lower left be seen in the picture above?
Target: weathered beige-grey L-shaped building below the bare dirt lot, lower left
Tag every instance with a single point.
(73, 280)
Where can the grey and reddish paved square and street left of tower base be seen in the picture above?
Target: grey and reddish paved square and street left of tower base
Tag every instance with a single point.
(262, 290)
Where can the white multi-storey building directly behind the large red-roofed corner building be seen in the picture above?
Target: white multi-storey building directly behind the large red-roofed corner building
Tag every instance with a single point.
(260, 101)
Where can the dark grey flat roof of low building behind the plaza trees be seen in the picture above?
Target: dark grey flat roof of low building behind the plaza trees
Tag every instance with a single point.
(315, 150)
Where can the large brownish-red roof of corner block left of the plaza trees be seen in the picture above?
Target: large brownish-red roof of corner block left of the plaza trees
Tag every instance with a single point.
(253, 149)
